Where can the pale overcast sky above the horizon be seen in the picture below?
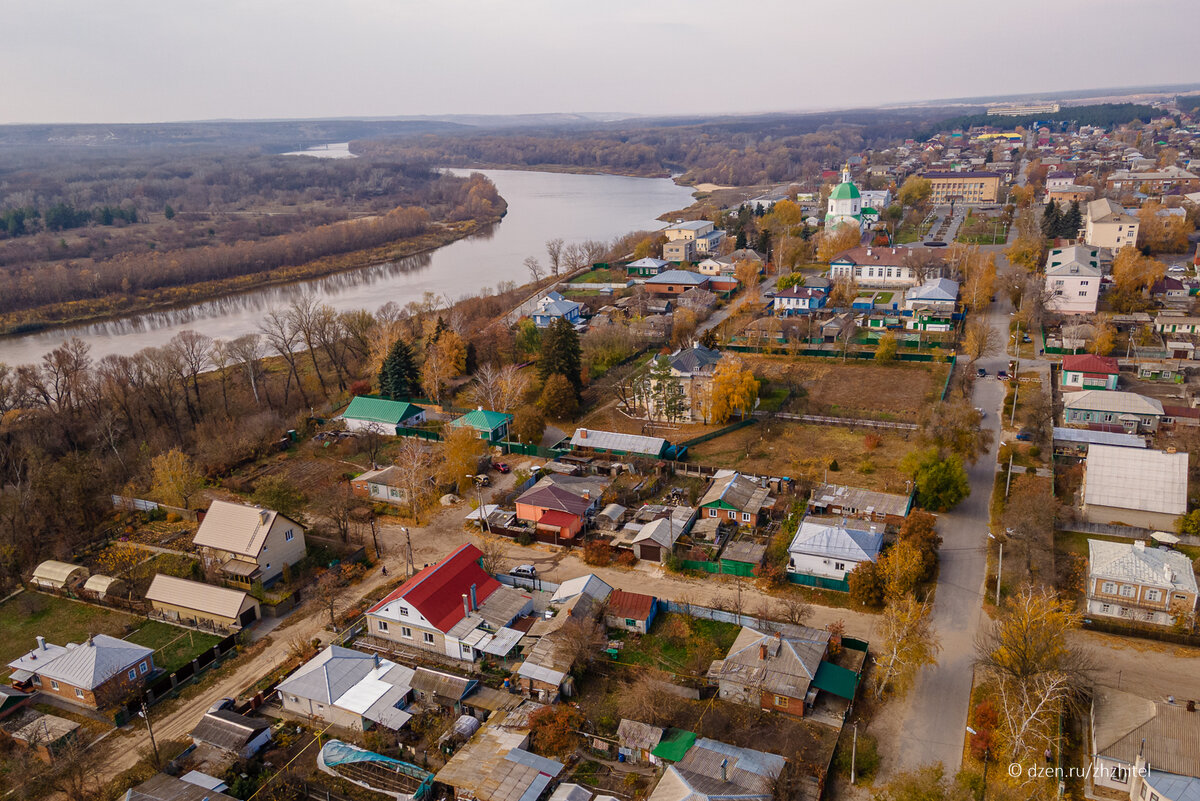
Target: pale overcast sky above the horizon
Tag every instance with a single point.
(163, 61)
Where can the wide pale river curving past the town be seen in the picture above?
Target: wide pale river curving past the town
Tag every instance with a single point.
(542, 207)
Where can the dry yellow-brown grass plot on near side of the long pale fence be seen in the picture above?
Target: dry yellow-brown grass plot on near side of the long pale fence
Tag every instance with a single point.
(790, 449)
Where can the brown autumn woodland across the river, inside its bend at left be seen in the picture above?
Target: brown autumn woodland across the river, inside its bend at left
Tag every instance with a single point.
(106, 231)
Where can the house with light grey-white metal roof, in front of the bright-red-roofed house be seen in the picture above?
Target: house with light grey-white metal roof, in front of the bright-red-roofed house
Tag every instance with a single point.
(351, 690)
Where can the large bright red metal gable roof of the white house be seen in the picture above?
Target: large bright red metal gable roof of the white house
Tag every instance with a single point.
(437, 591)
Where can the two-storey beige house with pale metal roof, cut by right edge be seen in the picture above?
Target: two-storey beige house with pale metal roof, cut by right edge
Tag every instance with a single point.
(1153, 586)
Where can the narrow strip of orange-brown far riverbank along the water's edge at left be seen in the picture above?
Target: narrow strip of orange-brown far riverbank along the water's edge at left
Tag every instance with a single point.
(58, 316)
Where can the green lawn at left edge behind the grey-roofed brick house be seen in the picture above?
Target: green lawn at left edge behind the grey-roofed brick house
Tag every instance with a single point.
(59, 621)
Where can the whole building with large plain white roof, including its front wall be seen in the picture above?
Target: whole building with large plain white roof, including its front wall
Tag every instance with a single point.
(1136, 487)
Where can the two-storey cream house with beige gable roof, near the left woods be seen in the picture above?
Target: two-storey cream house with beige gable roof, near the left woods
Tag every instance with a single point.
(249, 544)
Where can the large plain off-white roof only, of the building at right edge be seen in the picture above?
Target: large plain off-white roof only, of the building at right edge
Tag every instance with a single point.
(1144, 480)
